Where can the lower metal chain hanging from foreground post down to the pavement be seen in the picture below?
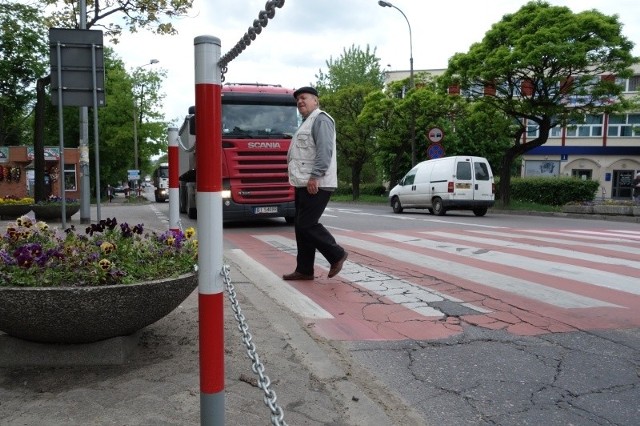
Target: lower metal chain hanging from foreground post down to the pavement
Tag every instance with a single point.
(264, 383)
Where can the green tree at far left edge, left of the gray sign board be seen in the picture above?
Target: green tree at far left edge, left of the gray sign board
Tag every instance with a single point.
(22, 61)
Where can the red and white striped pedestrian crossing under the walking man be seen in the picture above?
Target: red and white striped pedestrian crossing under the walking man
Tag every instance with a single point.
(430, 283)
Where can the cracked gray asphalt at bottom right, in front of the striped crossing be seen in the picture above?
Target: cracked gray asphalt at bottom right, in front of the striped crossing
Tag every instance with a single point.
(491, 377)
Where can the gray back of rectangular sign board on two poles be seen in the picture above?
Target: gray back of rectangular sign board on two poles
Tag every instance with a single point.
(77, 59)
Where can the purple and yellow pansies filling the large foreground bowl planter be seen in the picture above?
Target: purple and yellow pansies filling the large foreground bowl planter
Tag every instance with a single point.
(34, 255)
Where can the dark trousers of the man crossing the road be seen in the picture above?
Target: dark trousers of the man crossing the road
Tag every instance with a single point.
(312, 235)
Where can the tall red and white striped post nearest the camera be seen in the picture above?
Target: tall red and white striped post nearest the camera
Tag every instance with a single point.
(209, 206)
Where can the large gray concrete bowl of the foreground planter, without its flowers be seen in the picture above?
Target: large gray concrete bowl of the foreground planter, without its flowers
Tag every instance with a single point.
(89, 314)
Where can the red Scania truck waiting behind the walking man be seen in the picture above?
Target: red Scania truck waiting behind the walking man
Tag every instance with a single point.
(258, 122)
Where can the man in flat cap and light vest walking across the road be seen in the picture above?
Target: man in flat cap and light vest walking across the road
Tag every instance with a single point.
(313, 172)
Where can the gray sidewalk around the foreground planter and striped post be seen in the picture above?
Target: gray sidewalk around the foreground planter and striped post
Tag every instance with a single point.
(159, 383)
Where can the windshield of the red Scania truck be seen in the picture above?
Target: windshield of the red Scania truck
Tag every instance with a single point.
(259, 121)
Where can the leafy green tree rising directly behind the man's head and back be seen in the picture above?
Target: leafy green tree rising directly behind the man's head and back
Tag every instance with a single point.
(343, 90)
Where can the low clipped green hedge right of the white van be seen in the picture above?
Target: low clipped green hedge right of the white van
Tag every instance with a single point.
(553, 191)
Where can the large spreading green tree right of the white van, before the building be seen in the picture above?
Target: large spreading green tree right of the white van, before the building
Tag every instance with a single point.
(546, 65)
